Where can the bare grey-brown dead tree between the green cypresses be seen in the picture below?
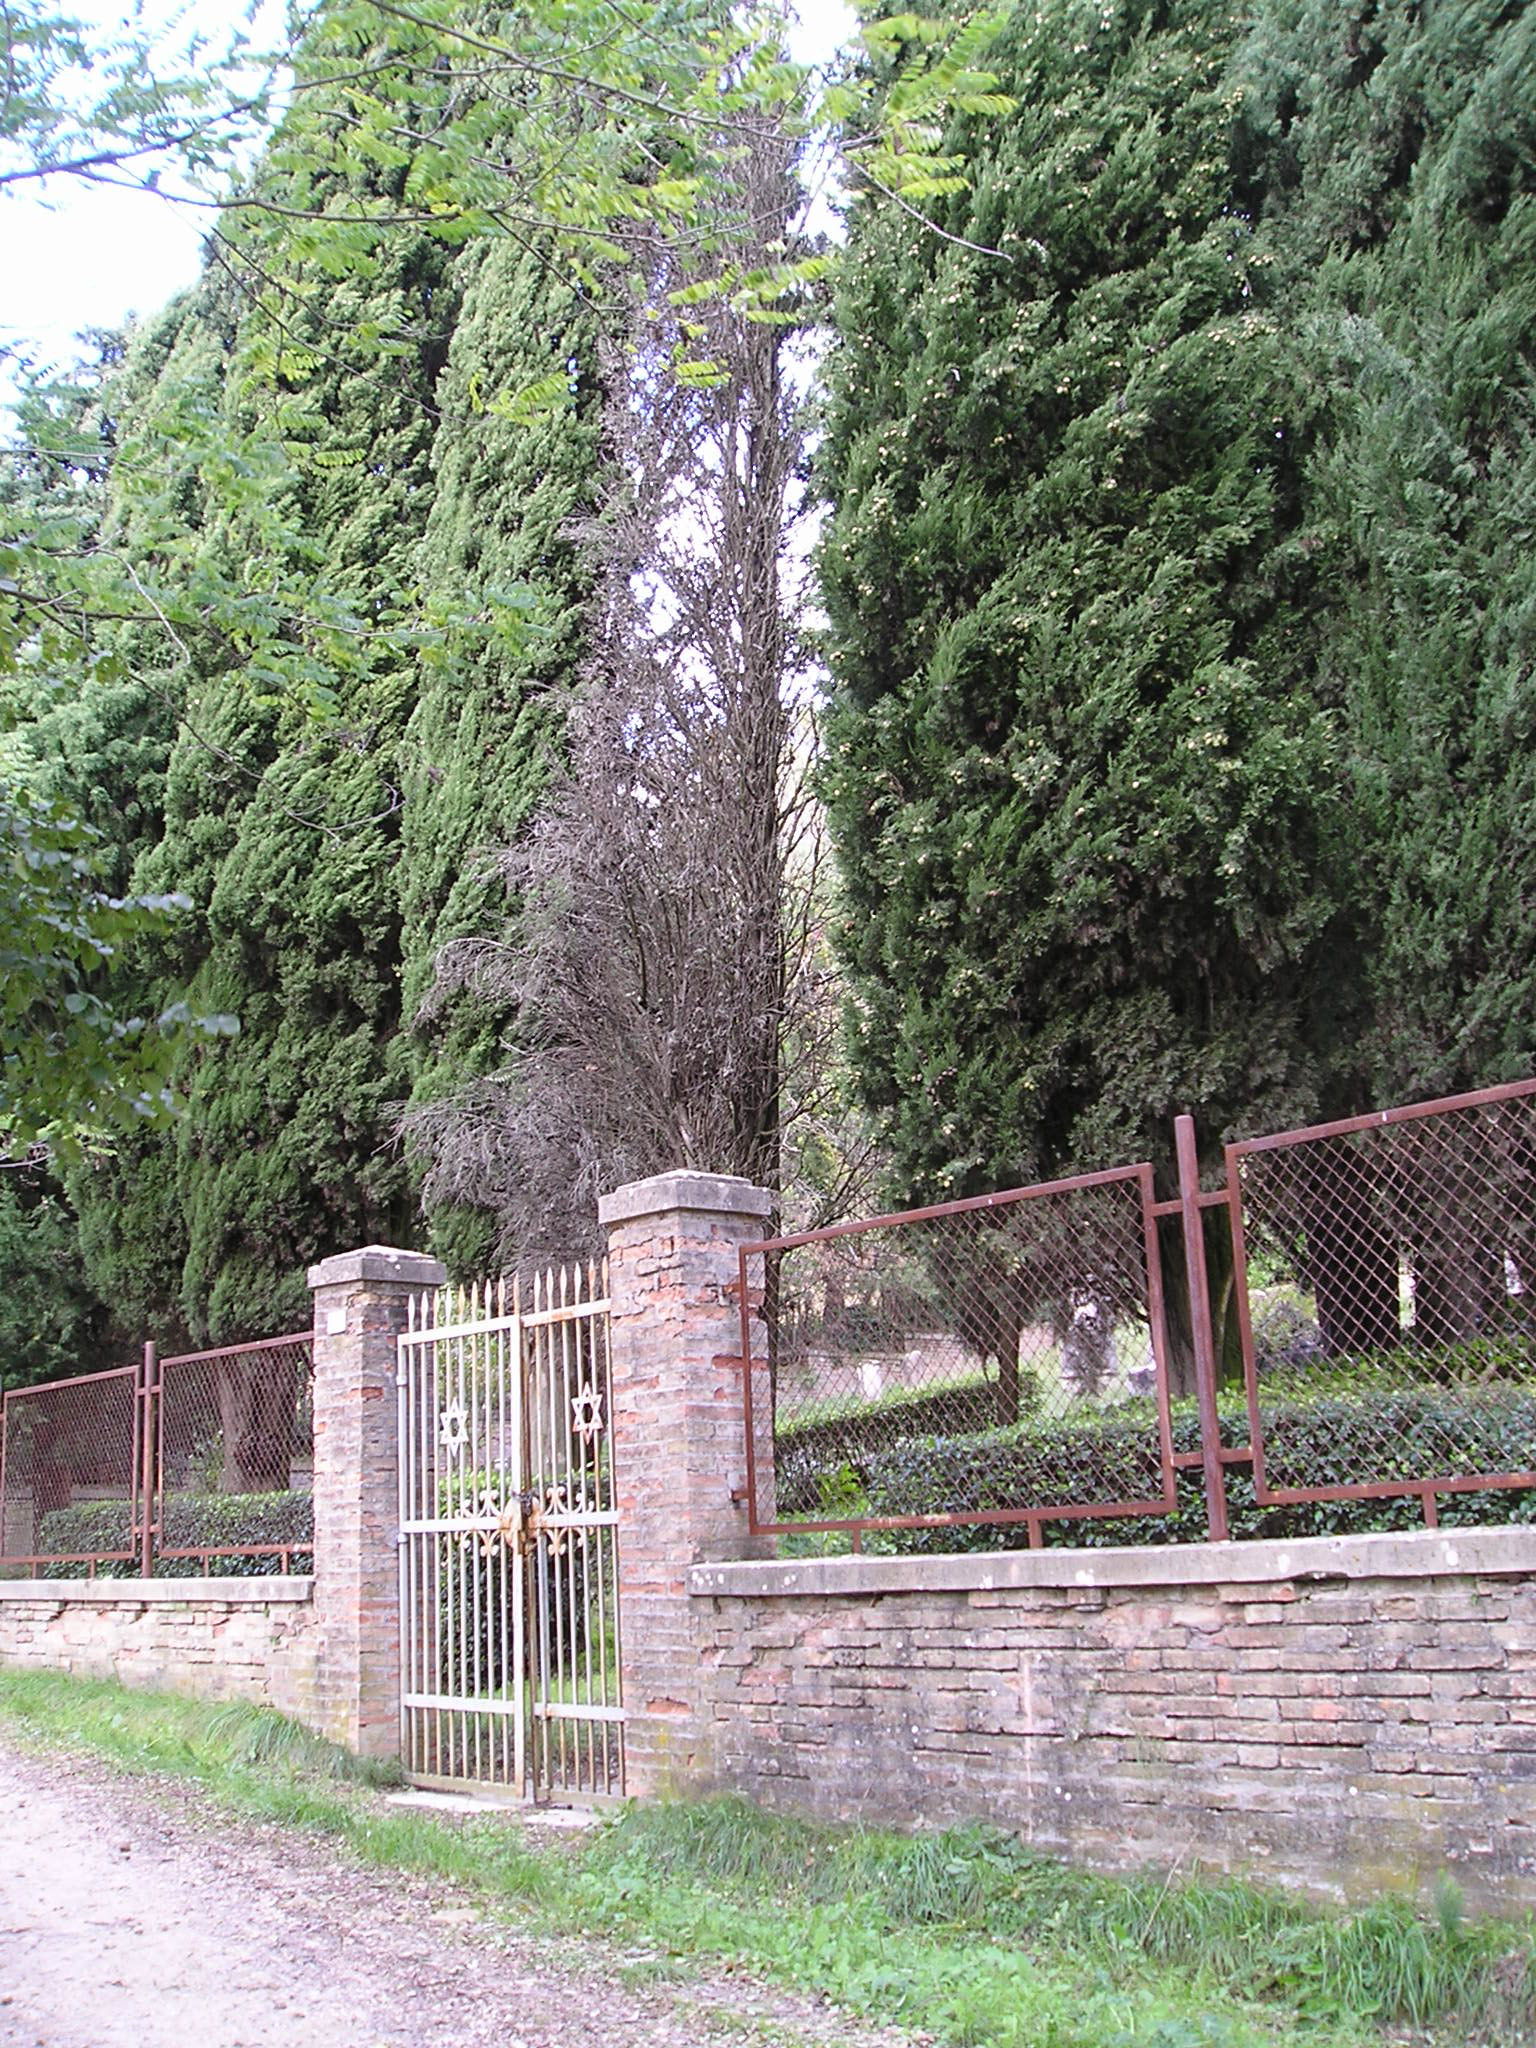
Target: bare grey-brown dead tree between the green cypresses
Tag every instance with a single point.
(656, 945)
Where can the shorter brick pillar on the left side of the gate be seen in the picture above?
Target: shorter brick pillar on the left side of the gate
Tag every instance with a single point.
(359, 1314)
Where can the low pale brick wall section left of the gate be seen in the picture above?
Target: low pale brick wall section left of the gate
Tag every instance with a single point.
(214, 1639)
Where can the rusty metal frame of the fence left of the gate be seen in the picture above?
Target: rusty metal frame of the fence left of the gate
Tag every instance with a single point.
(144, 1492)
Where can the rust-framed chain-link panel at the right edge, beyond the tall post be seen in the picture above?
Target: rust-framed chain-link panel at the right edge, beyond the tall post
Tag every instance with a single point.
(1388, 1287)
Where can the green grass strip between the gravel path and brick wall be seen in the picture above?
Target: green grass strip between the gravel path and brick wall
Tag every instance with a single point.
(964, 1934)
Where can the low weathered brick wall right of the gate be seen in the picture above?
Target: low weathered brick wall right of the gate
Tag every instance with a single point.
(1342, 1713)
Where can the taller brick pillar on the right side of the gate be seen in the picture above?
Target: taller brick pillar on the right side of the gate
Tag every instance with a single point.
(679, 1447)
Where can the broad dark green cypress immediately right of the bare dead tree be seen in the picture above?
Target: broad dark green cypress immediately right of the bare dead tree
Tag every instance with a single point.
(1080, 771)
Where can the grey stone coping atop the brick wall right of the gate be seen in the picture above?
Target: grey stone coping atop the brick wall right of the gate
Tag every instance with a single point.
(1414, 1555)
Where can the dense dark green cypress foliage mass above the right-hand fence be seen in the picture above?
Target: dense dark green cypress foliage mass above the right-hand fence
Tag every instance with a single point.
(1179, 589)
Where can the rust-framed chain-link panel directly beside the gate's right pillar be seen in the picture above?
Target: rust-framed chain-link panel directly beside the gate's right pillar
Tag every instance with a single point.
(992, 1361)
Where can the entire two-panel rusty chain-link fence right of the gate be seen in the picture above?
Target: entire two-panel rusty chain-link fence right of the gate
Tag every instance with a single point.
(1349, 1320)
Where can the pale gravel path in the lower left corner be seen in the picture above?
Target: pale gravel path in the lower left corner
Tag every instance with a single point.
(136, 1916)
